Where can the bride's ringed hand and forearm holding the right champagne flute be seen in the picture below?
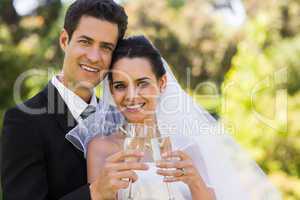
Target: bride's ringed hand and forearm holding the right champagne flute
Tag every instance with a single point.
(178, 166)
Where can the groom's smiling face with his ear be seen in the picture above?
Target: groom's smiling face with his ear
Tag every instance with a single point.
(88, 53)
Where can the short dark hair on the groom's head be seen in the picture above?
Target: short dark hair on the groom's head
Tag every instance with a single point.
(107, 10)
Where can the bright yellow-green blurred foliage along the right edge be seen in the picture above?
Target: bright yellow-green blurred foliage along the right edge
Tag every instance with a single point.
(261, 91)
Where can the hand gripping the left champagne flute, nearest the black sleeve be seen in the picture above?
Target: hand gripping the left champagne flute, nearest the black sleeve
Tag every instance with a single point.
(115, 174)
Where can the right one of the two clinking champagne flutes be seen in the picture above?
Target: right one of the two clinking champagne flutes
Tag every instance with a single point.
(161, 145)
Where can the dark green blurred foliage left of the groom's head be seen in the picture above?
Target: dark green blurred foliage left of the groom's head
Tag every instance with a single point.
(27, 42)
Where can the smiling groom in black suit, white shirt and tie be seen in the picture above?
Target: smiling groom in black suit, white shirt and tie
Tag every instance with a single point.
(37, 161)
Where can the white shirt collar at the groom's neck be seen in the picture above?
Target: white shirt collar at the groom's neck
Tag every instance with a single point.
(75, 104)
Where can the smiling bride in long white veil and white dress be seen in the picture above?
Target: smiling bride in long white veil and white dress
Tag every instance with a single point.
(145, 91)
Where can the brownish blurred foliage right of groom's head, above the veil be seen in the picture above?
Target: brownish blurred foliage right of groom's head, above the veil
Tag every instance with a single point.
(188, 39)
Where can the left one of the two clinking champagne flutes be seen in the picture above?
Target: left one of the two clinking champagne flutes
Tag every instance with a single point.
(135, 140)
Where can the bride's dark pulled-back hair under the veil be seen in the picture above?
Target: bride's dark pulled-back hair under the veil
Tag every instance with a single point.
(138, 47)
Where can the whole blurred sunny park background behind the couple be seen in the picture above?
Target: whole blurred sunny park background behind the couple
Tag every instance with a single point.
(238, 59)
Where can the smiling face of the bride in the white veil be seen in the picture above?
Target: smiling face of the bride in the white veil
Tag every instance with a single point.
(135, 89)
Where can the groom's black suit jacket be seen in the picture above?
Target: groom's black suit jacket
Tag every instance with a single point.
(37, 161)
